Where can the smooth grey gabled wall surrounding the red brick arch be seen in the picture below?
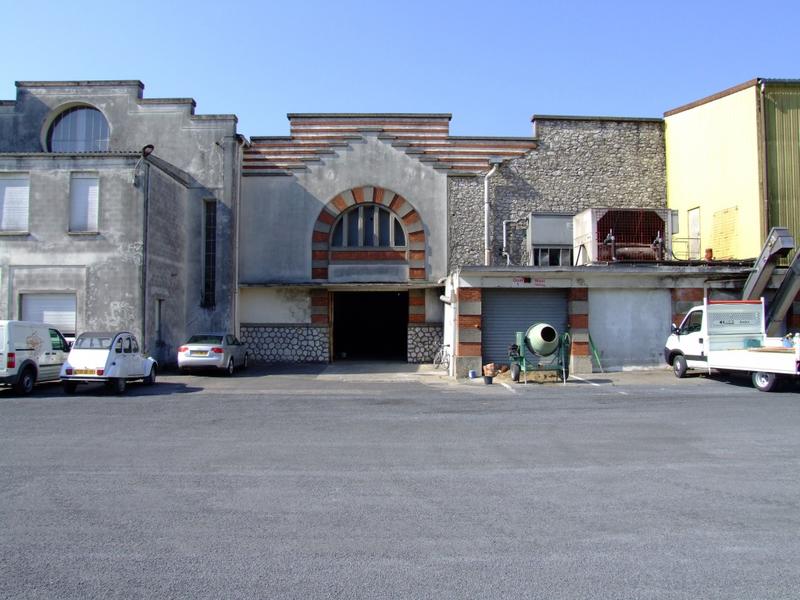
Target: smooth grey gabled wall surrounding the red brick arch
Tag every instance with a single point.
(279, 212)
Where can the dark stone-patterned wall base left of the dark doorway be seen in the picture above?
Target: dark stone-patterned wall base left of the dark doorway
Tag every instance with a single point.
(286, 343)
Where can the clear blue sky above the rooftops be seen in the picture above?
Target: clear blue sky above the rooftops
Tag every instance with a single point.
(491, 64)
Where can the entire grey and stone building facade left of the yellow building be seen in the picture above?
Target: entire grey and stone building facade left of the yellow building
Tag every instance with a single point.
(376, 236)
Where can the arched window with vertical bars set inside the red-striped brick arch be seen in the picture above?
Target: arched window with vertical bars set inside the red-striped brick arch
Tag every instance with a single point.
(368, 226)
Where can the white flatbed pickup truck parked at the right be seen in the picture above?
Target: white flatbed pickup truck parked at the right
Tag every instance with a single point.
(729, 335)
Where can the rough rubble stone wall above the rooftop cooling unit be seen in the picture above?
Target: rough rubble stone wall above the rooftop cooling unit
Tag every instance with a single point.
(578, 164)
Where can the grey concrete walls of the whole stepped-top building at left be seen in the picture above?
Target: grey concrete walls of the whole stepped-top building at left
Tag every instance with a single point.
(206, 152)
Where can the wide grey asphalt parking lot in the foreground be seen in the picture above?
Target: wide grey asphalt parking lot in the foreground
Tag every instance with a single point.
(335, 482)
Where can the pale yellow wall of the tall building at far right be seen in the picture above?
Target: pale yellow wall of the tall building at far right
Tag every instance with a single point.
(714, 165)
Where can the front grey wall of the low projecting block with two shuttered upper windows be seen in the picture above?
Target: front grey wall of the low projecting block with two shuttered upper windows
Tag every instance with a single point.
(103, 269)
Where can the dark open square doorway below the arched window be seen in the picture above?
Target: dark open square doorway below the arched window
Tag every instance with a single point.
(370, 325)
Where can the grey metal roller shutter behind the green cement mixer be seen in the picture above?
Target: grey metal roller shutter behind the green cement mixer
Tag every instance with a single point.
(506, 311)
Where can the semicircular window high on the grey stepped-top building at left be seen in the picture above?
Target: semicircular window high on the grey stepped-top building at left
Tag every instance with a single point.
(78, 129)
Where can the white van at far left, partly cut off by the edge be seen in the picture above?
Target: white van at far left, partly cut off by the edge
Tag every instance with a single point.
(30, 353)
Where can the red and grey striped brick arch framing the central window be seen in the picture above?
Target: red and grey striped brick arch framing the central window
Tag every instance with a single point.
(322, 254)
